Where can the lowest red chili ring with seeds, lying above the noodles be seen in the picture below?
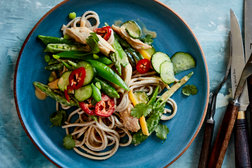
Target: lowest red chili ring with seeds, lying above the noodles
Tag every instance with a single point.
(105, 107)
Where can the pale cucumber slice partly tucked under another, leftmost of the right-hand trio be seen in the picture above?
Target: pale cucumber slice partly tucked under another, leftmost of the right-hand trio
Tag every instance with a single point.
(157, 59)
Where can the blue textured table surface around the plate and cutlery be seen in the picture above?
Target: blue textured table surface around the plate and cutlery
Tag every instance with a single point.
(209, 21)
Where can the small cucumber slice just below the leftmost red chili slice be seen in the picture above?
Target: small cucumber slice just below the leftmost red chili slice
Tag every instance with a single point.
(83, 93)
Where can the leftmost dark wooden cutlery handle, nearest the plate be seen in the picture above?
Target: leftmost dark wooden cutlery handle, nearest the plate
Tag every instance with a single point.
(205, 150)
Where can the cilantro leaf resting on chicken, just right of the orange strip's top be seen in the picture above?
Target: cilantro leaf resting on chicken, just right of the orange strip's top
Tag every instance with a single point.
(140, 110)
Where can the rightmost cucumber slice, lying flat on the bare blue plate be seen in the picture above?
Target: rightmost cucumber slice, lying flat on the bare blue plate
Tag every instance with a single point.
(182, 61)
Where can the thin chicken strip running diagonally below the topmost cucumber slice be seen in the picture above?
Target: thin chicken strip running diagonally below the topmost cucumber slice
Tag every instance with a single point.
(135, 43)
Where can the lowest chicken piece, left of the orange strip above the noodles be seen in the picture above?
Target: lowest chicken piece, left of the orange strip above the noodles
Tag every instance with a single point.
(129, 122)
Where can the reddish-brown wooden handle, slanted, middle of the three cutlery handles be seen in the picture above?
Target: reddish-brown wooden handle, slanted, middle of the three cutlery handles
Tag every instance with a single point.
(223, 136)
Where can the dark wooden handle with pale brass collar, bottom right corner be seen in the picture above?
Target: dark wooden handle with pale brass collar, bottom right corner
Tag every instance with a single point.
(242, 156)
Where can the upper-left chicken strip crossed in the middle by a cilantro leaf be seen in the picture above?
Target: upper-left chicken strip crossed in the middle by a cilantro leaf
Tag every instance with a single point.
(80, 34)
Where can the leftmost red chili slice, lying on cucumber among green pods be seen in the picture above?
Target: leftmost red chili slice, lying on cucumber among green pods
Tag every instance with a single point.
(76, 78)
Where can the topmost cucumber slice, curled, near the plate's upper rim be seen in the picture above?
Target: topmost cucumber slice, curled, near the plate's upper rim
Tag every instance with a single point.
(132, 28)
